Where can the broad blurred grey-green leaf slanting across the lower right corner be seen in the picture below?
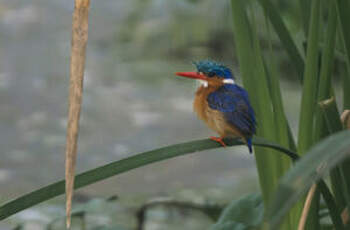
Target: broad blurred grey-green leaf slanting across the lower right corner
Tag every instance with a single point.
(309, 169)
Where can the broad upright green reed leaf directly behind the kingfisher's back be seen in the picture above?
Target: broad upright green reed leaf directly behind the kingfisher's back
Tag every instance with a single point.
(249, 54)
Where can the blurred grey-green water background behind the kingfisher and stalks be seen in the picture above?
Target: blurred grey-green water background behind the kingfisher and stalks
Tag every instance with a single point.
(132, 100)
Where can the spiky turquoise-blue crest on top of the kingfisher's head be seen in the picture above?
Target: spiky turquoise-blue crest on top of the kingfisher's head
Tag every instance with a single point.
(211, 69)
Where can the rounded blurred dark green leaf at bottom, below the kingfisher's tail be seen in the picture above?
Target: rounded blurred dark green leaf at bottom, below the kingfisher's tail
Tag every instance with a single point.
(245, 213)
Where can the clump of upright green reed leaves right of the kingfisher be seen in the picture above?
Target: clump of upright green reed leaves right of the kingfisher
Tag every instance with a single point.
(274, 125)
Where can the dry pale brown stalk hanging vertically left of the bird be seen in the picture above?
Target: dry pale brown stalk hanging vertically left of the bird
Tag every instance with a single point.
(77, 65)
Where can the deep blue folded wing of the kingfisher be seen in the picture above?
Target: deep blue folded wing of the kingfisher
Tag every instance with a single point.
(233, 101)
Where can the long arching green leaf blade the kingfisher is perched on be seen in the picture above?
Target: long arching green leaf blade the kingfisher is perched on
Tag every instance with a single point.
(121, 166)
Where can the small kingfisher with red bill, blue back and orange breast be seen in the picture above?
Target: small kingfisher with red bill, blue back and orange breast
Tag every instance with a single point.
(222, 104)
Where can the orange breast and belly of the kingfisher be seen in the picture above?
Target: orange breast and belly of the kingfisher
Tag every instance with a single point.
(213, 118)
